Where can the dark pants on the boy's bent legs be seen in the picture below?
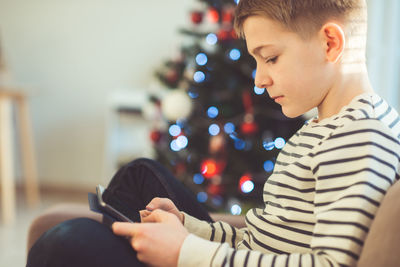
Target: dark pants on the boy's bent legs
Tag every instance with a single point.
(85, 242)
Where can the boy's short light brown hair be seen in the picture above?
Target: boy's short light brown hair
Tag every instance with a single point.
(306, 17)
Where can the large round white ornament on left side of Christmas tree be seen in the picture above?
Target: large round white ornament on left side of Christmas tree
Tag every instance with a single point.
(176, 105)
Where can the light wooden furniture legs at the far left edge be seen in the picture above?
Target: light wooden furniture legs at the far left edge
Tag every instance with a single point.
(7, 174)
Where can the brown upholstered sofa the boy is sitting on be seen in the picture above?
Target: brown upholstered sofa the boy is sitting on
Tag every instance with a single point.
(381, 247)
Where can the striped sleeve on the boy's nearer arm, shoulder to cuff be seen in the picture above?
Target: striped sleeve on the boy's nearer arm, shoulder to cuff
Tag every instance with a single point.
(353, 169)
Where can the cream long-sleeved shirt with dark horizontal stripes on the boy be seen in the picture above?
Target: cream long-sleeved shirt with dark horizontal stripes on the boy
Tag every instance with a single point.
(326, 187)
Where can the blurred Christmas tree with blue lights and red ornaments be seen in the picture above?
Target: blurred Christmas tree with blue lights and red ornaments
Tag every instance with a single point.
(221, 134)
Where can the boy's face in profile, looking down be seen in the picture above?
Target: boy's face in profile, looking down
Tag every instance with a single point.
(294, 71)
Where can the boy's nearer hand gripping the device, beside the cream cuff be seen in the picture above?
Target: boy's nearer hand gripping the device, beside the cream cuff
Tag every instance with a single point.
(157, 241)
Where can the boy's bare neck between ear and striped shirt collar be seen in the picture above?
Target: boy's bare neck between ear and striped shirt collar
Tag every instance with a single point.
(349, 84)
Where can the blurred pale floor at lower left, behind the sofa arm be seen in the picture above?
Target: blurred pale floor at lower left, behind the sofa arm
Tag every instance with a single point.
(13, 237)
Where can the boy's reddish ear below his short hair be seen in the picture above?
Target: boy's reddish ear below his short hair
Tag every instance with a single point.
(334, 41)
